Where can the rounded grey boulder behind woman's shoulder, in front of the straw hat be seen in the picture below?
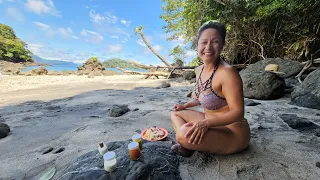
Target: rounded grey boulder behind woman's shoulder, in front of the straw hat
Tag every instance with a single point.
(262, 85)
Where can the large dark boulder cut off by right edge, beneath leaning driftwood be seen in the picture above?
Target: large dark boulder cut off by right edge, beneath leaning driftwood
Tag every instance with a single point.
(308, 93)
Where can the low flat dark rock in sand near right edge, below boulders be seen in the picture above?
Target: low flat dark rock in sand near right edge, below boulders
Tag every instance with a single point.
(300, 123)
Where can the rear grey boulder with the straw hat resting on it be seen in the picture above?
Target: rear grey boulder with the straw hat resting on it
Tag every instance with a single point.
(288, 67)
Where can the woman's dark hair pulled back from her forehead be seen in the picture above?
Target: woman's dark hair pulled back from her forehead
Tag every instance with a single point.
(215, 25)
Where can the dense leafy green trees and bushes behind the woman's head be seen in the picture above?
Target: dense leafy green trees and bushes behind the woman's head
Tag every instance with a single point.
(256, 29)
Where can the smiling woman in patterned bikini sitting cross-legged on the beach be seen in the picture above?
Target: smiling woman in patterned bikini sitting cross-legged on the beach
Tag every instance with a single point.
(221, 128)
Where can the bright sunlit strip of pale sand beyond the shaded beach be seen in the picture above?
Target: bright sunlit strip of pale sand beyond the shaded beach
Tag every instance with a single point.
(18, 89)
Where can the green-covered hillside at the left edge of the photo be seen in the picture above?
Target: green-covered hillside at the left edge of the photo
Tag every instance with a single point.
(12, 48)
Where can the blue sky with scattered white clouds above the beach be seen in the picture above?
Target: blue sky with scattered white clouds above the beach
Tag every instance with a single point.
(74, 30)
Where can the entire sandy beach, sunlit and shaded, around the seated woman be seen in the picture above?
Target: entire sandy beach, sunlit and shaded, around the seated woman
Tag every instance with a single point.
(69, 115)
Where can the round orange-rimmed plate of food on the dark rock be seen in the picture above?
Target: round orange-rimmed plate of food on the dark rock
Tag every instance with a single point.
(154, 133)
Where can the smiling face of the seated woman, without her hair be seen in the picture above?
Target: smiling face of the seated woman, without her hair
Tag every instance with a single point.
(210, 45)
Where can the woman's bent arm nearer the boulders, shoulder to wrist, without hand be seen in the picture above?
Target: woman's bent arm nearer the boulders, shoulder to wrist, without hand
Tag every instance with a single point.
(232, 90)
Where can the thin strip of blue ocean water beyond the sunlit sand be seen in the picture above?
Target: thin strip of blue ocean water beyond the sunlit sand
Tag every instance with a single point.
(70, 67)
